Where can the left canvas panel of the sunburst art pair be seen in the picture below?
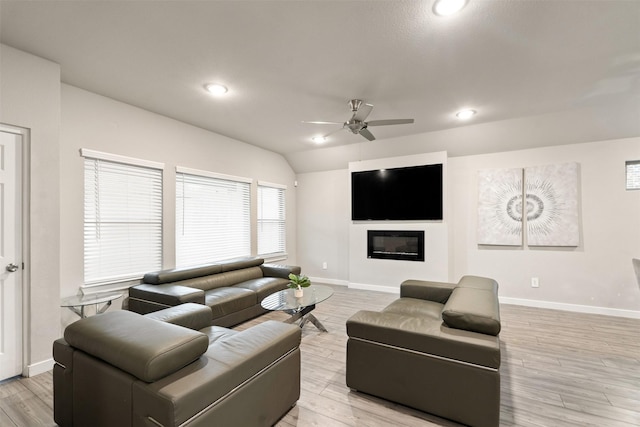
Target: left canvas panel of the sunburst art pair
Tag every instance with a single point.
(500, 207)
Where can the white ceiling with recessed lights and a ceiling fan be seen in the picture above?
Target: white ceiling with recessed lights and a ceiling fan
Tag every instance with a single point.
(289, 61)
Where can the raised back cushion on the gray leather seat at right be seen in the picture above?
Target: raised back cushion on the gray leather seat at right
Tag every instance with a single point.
(473, 309)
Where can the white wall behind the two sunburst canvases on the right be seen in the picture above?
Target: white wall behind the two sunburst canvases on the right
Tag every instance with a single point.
(598, 272)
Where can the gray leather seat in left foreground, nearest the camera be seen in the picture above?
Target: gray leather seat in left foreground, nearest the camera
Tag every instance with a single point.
(172, 368)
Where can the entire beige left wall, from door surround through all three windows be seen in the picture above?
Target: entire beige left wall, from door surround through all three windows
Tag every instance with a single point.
(62, 119)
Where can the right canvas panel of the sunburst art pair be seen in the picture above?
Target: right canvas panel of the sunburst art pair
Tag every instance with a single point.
(552, 205)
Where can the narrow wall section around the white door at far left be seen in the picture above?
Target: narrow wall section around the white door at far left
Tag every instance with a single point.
(30, 98)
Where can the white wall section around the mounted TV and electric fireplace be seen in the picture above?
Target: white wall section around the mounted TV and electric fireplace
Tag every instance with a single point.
(327, 234)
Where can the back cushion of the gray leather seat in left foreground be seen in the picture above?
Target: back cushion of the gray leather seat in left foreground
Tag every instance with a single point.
(146, 348)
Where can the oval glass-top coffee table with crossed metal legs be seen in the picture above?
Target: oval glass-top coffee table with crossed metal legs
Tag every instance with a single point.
(299, 308)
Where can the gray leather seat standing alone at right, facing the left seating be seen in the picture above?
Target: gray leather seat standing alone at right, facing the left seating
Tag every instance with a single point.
(436, 349)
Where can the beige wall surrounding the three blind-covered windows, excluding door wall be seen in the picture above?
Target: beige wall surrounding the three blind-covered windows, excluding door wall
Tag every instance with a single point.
(95, 122)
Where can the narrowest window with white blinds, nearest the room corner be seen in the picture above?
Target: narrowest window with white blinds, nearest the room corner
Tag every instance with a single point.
(271, 220)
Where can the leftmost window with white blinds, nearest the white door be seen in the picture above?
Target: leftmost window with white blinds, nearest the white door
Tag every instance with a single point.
(122, 217)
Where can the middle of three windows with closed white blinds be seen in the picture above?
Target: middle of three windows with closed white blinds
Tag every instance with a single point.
(212, 217)
